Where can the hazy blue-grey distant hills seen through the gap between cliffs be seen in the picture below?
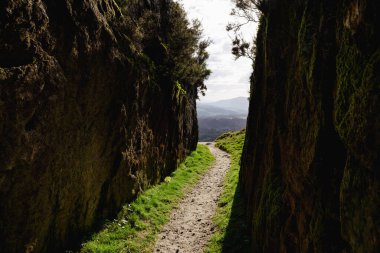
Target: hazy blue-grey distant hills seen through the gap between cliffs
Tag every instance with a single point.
(216, 118)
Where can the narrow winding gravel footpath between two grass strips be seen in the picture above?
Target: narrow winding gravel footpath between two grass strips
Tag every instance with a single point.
(190, 226)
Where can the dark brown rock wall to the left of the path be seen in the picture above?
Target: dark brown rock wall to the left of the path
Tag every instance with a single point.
(86, 119)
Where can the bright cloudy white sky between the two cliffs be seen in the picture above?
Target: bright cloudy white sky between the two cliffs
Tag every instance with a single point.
(229, 78)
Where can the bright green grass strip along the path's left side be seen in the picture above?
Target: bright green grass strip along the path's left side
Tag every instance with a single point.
(138, 223)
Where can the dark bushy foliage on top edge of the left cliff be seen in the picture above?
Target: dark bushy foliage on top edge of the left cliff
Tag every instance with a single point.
(168, 43)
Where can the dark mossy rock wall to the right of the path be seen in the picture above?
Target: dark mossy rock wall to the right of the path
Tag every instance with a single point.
(311, 160)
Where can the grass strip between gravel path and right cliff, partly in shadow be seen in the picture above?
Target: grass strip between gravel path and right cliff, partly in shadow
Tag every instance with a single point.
(231, 232)
